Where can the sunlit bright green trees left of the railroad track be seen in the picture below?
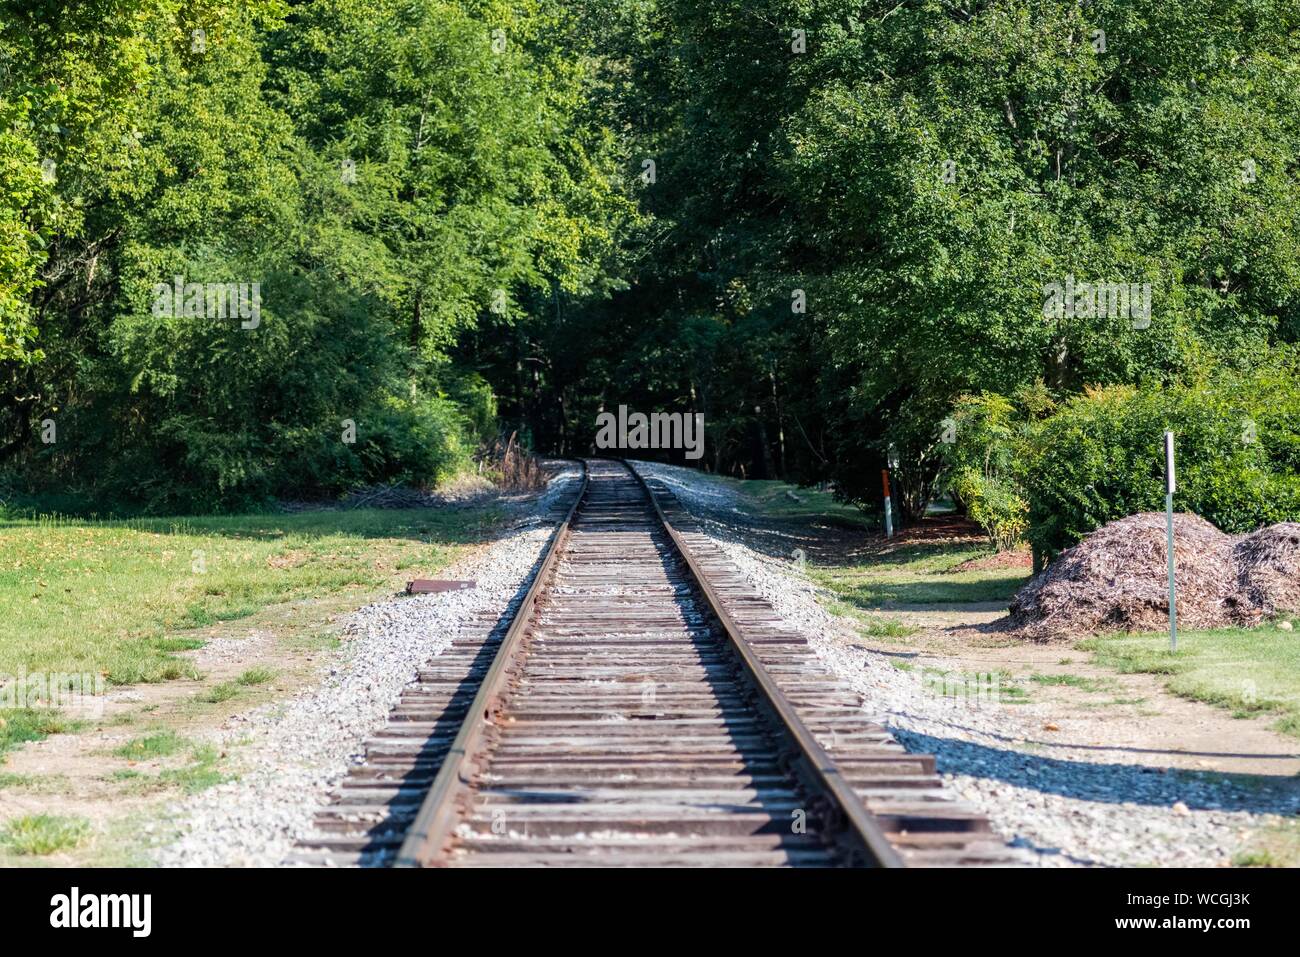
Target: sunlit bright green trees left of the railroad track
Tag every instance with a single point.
(336, 190)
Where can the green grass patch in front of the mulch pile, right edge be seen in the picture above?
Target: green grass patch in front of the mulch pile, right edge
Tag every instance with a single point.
(1250, 672)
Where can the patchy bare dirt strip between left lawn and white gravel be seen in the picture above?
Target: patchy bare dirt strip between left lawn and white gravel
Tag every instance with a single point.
(92, 774)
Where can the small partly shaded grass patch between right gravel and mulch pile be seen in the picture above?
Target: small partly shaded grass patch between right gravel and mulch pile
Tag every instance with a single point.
(918, 575)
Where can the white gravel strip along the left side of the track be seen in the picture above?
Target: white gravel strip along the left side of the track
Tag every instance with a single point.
(291, 754)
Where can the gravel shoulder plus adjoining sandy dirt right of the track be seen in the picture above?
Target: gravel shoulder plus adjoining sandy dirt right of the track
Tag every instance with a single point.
(1071, 774)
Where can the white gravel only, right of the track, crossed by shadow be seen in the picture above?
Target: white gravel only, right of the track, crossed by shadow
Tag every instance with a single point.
(1072, 807)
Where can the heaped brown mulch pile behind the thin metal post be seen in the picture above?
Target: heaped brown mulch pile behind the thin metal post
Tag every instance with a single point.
(1117, 581)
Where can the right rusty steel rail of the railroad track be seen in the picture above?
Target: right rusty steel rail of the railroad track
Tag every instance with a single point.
(859, 830)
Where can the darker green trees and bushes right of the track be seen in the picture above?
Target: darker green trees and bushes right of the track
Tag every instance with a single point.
(1038, 229)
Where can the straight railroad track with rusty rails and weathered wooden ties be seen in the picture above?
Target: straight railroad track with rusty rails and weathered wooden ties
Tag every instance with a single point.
(640, 705)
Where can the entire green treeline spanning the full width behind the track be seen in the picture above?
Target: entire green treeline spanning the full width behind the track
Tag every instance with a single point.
(1004, 244)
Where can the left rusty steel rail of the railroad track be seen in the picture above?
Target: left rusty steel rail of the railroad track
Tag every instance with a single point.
(431, 830)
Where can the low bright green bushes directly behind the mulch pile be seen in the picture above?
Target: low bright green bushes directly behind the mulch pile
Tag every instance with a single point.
(1052, 473)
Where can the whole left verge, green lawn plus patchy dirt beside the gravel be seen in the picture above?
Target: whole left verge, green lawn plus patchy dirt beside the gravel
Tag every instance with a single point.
(125, 600)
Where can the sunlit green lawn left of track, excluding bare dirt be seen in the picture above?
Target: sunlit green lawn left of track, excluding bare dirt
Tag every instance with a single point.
(93, 596)
